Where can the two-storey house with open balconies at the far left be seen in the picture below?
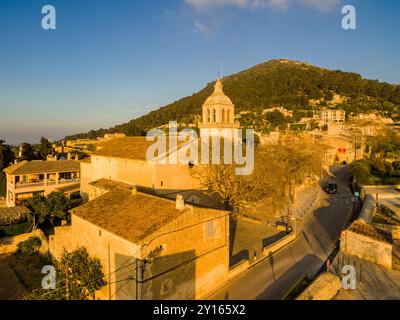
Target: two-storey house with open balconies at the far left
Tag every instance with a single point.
(28, 178)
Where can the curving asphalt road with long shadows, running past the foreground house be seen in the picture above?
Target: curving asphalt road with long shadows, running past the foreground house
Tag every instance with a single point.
(274, 276)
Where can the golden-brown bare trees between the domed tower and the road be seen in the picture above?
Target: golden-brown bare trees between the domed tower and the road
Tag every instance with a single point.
(277, 170)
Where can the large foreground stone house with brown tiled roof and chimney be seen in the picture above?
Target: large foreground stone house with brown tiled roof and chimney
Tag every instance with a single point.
(150, 247)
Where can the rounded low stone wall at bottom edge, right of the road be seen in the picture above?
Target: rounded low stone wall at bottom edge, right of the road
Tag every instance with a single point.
(325, 287)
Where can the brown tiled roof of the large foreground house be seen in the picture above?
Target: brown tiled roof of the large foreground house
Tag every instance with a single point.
(135, 217)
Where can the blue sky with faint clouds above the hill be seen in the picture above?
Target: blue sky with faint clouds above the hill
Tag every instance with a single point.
(110, 61)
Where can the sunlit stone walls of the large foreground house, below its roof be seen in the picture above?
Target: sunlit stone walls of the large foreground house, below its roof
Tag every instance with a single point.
(188, 266)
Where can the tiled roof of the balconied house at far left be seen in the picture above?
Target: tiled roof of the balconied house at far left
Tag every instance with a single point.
(32, 167)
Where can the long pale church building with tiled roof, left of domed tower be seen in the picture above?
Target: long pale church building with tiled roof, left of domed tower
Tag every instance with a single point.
(125, 160)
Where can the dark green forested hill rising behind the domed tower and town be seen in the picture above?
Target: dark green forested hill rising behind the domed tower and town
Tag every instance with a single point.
(277, 82)
